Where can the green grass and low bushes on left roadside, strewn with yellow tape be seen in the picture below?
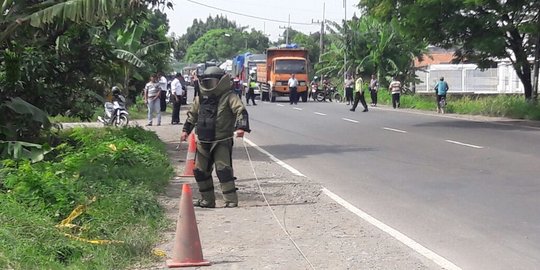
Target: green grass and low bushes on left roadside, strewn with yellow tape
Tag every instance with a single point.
(110, 177)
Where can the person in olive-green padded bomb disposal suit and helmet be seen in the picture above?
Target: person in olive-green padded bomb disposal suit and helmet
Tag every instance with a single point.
(216, 114)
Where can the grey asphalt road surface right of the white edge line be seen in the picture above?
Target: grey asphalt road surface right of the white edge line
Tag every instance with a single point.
(467, 190)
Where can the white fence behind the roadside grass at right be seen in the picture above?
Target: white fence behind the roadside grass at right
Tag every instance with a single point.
(468, 79)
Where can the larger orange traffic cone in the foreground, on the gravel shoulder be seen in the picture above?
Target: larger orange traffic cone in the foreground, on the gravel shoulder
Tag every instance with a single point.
(187, 249)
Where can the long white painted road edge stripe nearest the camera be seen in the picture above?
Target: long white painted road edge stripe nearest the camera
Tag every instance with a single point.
(439, 260)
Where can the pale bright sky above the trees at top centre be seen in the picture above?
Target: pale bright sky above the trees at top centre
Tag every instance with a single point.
(302, 14)
